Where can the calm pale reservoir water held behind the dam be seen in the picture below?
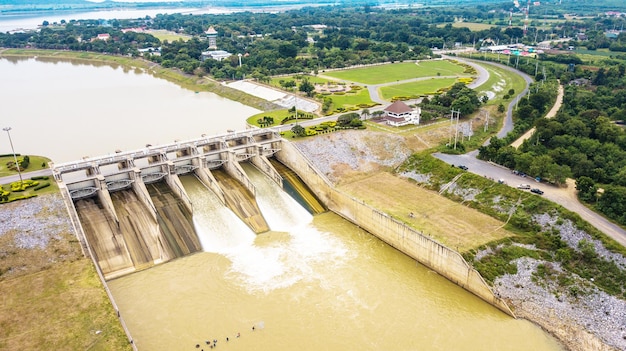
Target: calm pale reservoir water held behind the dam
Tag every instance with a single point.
(66, 110)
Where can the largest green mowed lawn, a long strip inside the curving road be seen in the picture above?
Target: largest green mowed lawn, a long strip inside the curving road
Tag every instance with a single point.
(398, 71)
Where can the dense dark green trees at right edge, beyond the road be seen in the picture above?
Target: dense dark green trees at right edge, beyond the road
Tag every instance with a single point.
(584, 141)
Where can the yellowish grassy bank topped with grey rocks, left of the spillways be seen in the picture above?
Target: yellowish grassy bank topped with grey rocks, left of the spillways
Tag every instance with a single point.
(52, 296)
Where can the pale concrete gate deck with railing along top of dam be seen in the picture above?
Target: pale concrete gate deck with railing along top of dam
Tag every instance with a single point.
(155, 162)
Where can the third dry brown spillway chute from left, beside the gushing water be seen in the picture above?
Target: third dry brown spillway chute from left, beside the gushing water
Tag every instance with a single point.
(174, 221)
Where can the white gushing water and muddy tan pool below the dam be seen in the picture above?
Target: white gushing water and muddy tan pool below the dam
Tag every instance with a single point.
(312, 283)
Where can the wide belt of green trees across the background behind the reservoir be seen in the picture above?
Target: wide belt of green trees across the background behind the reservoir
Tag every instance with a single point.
(279, 43)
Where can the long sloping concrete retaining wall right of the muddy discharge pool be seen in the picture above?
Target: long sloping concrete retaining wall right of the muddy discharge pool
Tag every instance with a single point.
(411, 242)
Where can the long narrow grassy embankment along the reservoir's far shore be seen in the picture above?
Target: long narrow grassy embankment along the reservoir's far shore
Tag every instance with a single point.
(186, 81)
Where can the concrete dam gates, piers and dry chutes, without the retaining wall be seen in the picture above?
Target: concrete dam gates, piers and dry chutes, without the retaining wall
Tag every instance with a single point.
(134, 211)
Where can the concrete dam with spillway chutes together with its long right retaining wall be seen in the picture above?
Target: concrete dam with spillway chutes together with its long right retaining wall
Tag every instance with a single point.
(108, 191)
